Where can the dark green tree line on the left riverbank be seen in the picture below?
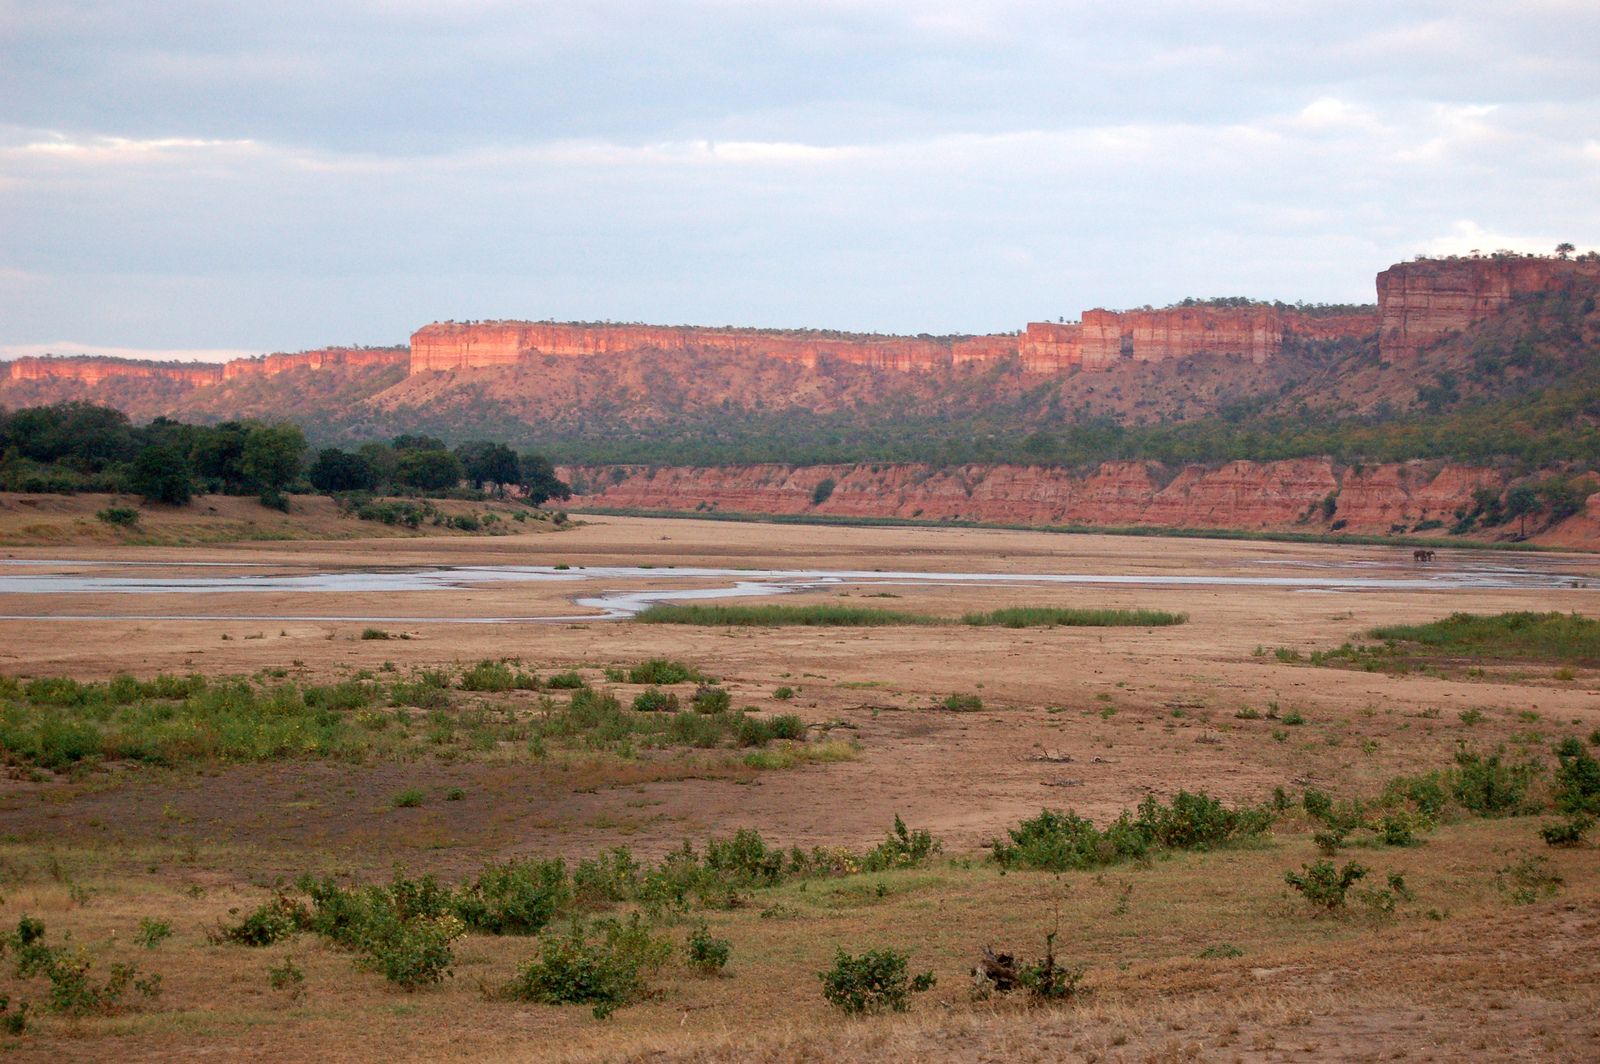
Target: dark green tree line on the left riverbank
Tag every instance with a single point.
(82, 447)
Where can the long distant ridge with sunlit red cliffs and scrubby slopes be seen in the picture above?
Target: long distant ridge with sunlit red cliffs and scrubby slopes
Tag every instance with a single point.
(1466, 359)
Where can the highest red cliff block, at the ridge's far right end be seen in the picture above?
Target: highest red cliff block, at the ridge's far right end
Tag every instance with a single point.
(1420, 303)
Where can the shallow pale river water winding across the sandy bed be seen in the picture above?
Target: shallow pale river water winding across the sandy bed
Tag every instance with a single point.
(622, 604)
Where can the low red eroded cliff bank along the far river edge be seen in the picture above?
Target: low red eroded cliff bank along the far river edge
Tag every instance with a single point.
(1284, 495)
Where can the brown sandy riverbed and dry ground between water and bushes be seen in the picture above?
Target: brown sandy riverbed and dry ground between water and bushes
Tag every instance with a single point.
(1086, 719)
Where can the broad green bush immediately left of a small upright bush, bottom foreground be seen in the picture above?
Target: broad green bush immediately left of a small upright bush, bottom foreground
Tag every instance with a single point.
(602, 967)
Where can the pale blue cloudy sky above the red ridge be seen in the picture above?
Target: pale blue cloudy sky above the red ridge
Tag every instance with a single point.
(185, 178)
